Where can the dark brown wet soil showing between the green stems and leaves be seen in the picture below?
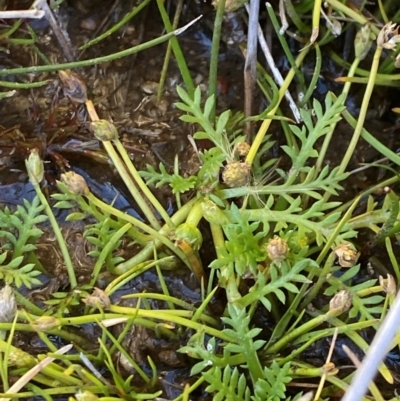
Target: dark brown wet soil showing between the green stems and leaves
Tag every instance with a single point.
(124, 92)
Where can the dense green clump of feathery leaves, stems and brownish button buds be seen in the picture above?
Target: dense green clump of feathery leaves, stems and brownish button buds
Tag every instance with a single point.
(280, 243)
